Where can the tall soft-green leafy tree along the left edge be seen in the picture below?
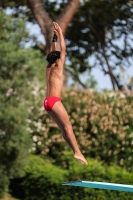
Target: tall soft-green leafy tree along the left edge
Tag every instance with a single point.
(17, 71)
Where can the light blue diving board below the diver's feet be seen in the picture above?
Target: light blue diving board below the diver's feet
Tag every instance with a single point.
(101, 185)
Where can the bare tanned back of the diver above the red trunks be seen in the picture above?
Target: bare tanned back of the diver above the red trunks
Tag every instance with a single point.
(54, 79)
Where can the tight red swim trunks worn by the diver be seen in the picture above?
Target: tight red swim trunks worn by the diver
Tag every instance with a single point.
(50, 101)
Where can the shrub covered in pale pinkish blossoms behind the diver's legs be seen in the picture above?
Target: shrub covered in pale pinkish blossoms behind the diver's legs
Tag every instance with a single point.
(102, 123)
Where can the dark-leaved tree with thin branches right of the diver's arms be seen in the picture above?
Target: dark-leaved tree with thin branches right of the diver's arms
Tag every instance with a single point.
(102, 26)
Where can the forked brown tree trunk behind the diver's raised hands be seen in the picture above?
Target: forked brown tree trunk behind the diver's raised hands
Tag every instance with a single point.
(45, 22)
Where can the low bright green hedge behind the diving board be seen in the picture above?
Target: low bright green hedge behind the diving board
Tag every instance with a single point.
(43, 181)
